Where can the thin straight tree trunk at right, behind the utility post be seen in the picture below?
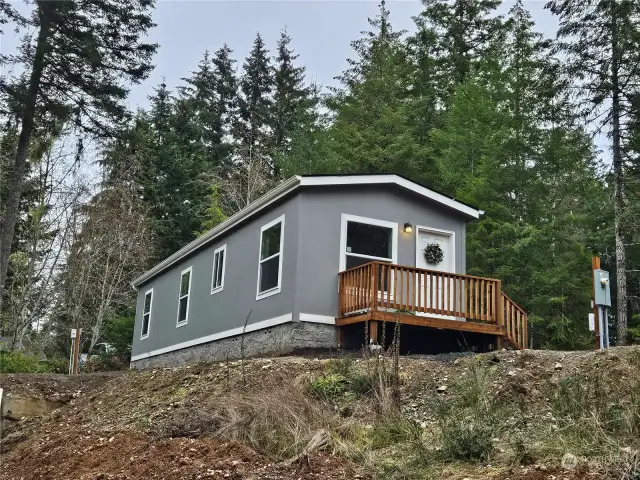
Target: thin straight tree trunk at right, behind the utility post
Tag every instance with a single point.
(618, 177)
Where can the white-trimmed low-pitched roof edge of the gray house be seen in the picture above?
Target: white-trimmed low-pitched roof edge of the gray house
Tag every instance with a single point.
(289, 186)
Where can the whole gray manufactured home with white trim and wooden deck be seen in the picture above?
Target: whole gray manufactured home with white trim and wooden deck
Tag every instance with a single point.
(306, 264)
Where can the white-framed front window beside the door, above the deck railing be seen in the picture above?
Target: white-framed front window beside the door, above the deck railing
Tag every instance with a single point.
(364, 240)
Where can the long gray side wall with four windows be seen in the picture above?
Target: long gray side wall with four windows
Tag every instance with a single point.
(228, 309)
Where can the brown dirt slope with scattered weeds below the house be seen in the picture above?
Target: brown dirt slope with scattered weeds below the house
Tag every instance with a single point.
(245, 421)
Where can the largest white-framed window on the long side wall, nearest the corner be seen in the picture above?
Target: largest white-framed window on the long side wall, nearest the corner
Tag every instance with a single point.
(270, 258)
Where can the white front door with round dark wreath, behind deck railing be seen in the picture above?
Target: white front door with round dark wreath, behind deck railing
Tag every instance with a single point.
(445, 240)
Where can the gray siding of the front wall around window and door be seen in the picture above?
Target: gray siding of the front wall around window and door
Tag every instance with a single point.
(320, 222)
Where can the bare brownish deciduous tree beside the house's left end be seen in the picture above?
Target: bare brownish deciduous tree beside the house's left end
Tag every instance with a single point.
(110, 244)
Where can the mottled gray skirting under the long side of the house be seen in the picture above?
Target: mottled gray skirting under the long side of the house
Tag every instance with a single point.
(280, 339)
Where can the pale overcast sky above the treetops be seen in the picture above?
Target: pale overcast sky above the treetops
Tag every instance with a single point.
(321, 31)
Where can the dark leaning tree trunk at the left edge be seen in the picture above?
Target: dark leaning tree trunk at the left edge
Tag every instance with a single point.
(18, 170)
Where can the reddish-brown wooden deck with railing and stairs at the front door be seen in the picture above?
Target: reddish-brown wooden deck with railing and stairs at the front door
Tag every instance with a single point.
(380, 291)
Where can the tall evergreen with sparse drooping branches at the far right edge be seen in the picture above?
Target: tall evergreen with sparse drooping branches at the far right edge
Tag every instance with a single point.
(600, 41)
